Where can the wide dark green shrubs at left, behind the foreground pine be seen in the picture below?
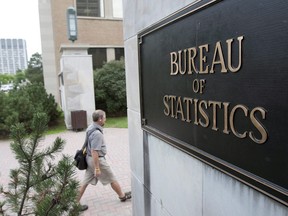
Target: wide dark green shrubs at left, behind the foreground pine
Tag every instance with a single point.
(20, 104)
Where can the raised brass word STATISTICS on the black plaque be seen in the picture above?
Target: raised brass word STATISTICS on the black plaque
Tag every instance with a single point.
(178, 107)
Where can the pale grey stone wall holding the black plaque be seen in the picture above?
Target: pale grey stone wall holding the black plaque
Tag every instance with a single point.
(165, 180)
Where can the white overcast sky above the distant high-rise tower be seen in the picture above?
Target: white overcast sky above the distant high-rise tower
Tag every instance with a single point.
(20, 19)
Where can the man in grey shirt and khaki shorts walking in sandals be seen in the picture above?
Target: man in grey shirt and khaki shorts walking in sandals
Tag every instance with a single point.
(98, 168)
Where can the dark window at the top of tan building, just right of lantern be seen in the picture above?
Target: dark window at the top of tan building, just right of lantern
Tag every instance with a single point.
(90, 8)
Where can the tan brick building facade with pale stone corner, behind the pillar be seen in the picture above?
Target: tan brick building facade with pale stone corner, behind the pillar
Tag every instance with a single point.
(99, 24)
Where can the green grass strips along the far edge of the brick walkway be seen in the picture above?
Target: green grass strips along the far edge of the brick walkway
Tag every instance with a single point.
(113, 122)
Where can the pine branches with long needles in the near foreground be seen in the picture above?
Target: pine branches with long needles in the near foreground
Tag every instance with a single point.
(39, 186)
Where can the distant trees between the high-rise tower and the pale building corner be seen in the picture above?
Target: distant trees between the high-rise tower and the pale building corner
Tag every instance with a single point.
(34, 72)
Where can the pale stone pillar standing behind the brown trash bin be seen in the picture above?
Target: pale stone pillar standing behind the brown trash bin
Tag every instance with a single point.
(76, 82)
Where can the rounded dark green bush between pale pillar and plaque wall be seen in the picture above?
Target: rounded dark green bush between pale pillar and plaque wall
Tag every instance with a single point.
(110, 88)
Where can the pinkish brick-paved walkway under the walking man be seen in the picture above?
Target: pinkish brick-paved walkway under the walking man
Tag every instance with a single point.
(102, 201)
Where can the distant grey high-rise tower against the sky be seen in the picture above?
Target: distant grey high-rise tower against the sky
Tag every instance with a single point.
(13, 55)
